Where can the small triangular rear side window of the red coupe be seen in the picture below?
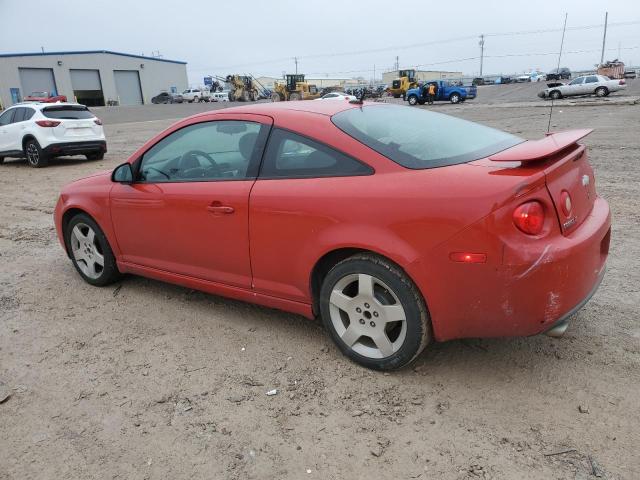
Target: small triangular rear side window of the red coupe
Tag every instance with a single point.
(290, 155)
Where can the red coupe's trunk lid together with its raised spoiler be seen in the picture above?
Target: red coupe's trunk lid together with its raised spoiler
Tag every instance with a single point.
(568, 174)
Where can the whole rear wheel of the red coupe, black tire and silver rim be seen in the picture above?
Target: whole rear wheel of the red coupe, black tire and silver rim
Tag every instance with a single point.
(398, 342)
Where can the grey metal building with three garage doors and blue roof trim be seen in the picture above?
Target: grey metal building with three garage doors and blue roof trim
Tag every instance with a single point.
(93, 78)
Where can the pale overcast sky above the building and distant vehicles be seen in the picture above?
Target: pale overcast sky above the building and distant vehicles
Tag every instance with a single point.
(329, 37)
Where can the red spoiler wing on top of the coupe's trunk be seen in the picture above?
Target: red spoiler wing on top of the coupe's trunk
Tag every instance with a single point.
(533, 150)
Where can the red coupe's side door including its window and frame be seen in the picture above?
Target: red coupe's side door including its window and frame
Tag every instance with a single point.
(187, 210)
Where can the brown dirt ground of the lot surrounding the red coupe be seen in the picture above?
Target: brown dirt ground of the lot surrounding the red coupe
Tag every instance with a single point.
(144, 380)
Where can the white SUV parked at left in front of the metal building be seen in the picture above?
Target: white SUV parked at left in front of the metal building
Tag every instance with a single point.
(40, 131)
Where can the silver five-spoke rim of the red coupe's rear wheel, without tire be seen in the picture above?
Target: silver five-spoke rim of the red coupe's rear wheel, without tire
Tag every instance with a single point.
(368, 316)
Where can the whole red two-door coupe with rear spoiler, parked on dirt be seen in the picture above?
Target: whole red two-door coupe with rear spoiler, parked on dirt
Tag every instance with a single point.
(397, 226)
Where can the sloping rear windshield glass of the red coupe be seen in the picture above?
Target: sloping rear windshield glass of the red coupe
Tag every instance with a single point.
(416, 138)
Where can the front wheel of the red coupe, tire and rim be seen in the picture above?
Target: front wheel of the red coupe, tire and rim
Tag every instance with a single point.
(87, 250)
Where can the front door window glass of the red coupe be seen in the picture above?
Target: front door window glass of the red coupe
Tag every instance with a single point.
(208, 151)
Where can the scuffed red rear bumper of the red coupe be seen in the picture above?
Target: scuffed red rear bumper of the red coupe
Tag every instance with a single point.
(525, 288)
